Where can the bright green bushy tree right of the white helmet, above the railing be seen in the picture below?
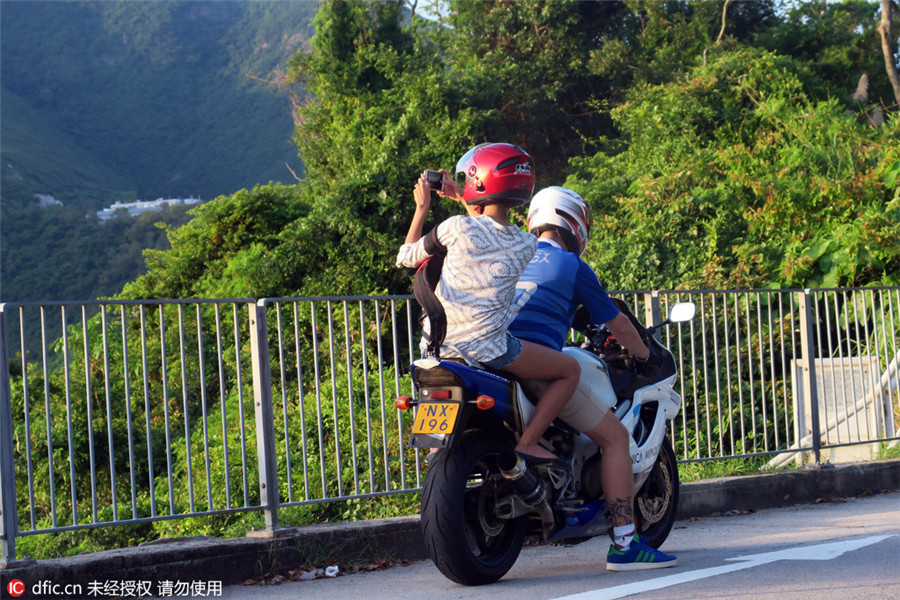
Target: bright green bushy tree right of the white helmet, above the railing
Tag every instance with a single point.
(735, 177)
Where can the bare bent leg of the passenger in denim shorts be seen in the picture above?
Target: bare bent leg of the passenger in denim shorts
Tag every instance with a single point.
(563, 372)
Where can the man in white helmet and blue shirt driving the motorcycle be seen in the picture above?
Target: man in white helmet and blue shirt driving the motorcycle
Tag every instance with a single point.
(555, 283)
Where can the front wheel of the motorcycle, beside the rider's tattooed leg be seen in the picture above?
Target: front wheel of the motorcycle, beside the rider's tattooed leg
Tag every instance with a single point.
(657, 501)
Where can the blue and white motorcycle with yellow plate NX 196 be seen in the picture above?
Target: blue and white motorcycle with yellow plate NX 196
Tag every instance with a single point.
(481, 500)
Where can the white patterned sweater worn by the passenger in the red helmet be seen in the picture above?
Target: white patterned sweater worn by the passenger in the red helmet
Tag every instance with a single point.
(478, 281)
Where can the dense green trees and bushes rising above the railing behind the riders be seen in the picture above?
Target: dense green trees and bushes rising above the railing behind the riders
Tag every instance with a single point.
(741, 151)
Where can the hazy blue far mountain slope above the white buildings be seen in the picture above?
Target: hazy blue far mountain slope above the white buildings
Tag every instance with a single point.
(170, 95)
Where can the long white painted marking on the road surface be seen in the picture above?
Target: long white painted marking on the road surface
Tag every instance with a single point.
(818, 552)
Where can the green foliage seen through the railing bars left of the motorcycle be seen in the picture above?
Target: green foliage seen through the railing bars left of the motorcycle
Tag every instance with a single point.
(163, 397)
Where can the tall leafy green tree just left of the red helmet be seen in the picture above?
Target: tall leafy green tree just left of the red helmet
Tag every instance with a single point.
(375, 117)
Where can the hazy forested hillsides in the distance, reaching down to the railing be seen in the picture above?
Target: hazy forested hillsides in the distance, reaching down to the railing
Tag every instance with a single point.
(106, 101)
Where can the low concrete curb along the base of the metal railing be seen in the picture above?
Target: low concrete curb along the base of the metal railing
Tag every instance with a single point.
(235, 560)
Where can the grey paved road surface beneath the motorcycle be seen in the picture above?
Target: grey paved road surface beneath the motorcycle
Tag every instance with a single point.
(808, 552)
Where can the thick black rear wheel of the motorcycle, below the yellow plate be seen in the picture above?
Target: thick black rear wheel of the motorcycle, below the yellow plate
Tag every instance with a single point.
(468, 543)
